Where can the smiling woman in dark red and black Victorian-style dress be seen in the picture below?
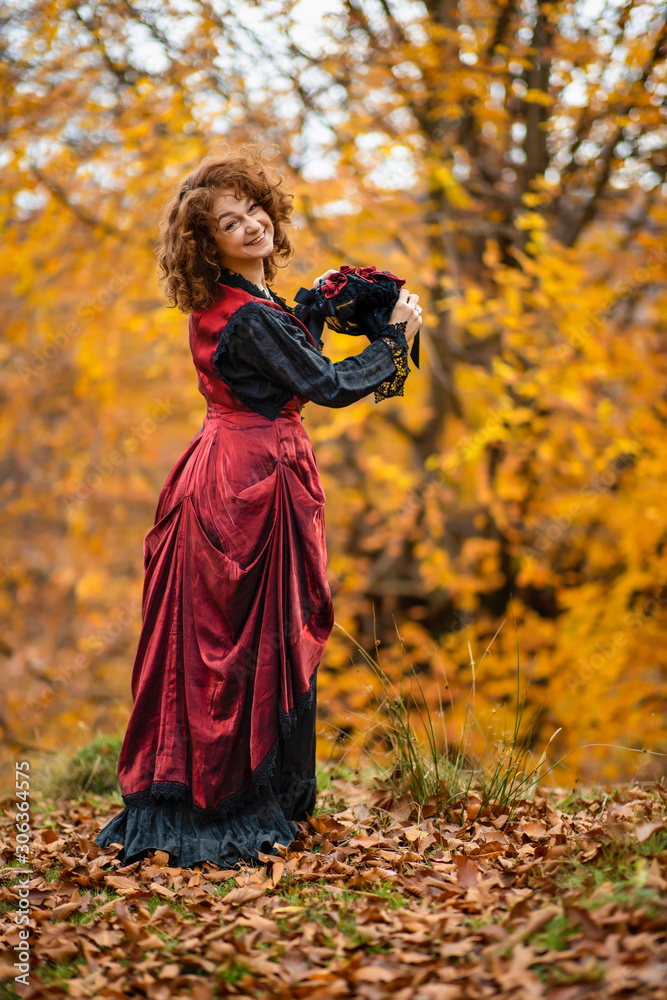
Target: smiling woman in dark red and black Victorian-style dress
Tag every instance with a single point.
(218, 760)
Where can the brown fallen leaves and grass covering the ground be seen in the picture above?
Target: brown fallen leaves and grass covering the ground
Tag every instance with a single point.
(563, 900)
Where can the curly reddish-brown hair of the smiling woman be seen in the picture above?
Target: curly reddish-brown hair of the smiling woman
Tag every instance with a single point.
(187, 252)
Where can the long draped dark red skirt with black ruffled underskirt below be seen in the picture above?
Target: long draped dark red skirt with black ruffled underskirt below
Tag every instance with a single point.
(218, 760)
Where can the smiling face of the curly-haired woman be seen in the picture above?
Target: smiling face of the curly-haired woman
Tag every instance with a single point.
(243, 231)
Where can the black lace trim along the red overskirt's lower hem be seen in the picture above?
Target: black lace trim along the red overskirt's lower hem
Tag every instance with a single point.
(262, 774)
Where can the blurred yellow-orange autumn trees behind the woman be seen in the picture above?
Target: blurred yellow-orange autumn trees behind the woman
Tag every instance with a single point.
(508, 160)
